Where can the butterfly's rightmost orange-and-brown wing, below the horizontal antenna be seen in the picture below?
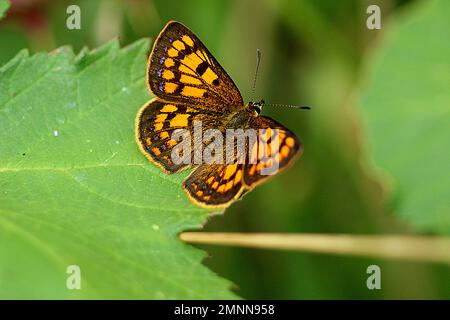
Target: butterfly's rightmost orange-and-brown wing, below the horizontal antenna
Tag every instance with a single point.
(276, 147)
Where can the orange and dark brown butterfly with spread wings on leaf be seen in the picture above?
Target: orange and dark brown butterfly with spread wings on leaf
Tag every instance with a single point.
(191, 87)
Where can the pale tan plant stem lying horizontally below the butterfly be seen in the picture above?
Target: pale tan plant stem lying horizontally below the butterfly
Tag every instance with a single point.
(416, 248)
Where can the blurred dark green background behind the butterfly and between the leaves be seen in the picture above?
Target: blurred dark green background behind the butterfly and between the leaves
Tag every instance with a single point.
(313, 53)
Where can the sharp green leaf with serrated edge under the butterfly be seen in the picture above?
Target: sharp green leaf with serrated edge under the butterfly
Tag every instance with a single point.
(75, 189)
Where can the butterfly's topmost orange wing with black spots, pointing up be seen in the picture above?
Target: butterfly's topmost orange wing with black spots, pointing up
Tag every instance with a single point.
(181, 69)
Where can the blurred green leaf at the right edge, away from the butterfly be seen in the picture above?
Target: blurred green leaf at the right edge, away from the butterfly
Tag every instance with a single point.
(407, 112)
